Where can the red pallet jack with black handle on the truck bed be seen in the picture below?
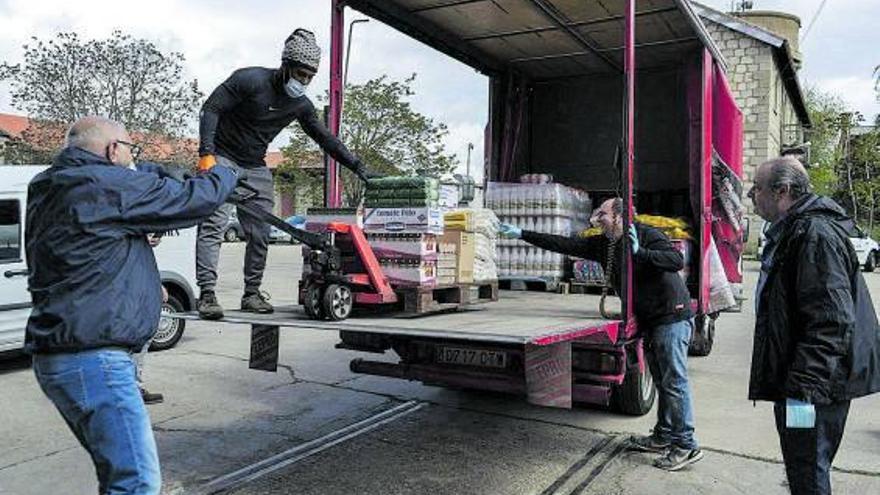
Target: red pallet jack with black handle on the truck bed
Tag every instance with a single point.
(343, 270)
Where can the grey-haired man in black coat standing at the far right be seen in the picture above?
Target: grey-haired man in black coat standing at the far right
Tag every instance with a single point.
(817, 341)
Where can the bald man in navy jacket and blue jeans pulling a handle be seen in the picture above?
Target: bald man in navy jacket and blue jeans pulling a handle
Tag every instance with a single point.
(96, 291)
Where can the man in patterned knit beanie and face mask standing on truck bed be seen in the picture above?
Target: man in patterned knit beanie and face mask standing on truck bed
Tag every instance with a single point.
(238, 121)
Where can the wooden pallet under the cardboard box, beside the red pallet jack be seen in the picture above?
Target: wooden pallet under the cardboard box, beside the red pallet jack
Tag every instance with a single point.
(423, 300)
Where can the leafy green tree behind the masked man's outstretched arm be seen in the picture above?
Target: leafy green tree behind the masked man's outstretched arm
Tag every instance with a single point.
(380, 126)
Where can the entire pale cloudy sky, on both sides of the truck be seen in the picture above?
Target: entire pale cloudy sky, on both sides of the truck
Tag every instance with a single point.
(217, 37)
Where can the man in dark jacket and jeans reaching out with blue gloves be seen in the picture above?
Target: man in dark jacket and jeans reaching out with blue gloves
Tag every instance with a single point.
(663, 312)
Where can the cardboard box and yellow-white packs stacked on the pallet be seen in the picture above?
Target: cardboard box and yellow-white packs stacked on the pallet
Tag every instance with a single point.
(470, 236)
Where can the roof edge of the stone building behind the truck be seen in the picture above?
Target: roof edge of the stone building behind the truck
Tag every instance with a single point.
(782, 55)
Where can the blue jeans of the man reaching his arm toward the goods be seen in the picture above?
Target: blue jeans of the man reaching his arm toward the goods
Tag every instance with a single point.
(666, 347)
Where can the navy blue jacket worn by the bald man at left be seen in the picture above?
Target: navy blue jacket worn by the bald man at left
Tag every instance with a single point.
(93, 278)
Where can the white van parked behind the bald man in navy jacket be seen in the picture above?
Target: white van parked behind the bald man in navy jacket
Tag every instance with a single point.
(175, 256)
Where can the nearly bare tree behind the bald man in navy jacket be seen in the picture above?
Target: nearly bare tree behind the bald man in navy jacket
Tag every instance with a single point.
(126, 79)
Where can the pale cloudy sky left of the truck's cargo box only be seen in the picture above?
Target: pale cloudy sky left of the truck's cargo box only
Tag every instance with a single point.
(219, 37)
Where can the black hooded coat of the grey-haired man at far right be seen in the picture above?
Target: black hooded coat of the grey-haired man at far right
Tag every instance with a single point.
(816, 333)
